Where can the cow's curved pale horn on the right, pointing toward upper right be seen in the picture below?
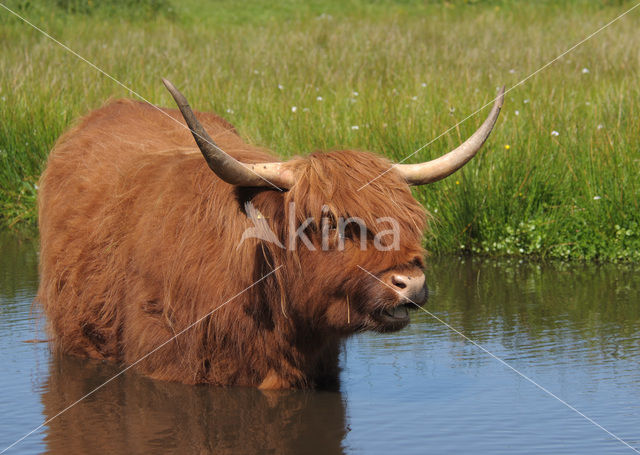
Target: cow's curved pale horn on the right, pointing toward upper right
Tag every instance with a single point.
(434, 170)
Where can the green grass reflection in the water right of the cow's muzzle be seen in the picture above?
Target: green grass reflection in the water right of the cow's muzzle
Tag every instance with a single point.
(567, 306)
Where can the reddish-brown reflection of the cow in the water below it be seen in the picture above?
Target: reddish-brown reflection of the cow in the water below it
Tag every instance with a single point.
(133, 414)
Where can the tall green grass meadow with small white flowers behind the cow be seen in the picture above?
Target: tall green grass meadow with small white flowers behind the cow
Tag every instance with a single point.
(418, 69)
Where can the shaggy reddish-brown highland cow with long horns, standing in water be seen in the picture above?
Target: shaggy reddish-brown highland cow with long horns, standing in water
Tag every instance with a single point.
(139, 239)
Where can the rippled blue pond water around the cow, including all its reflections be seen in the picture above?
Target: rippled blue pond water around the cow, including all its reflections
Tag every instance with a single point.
(573, 329)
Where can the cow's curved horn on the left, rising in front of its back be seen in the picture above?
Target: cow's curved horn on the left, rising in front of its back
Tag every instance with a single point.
(225, 166)
